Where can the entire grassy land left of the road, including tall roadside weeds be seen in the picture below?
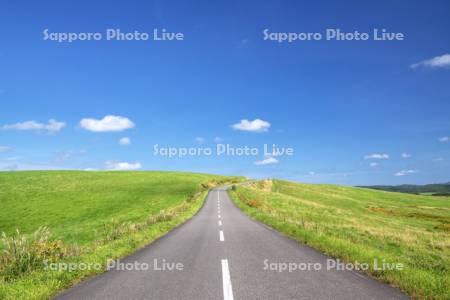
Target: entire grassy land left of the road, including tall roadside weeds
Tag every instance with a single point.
(92, 217)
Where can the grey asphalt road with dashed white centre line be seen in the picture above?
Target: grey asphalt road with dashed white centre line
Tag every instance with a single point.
(222, 254)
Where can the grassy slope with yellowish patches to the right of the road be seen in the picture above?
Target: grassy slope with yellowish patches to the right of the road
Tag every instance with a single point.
(362, 225)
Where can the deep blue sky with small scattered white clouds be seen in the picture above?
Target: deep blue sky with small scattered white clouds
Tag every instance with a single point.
(349, 109)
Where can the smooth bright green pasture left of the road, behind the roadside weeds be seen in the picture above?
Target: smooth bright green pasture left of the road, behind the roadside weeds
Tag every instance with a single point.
(74, 205)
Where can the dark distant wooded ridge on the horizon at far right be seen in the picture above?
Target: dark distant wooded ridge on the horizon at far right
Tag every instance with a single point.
(435, 189)
